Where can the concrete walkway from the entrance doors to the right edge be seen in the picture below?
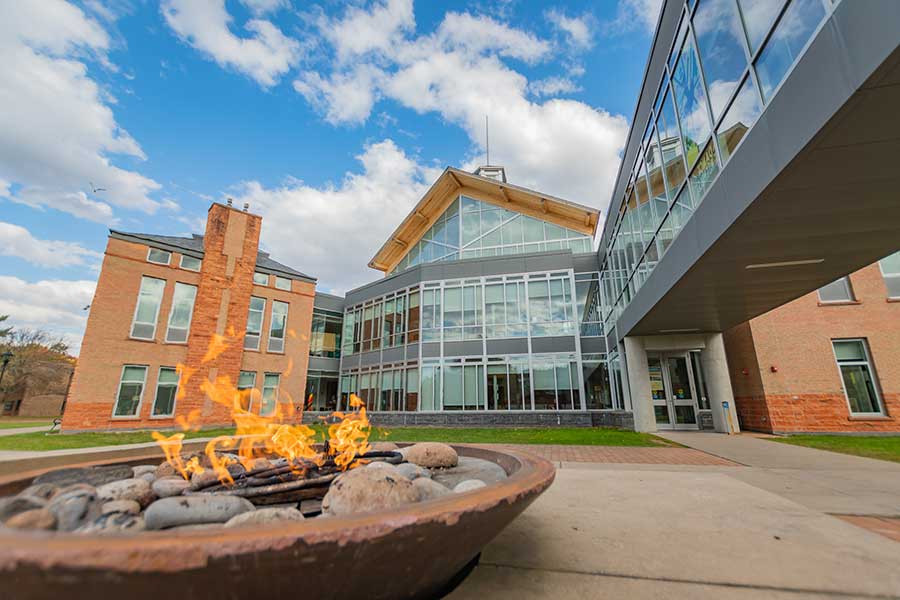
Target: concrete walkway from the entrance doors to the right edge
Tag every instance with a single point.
(826, 481)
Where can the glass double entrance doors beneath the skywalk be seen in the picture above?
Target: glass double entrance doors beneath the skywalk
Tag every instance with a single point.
(672, 391)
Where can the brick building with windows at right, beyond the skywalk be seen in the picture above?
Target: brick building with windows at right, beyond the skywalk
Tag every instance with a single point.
(826, 362)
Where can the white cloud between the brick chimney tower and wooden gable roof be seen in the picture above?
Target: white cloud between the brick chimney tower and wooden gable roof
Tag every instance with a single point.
(331, 232)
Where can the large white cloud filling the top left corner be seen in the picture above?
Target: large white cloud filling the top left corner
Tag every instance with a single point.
(57, 130)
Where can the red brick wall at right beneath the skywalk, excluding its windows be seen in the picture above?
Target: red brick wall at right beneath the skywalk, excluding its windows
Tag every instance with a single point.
(804, 392)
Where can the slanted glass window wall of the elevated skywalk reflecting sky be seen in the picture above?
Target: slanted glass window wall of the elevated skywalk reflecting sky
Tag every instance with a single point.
(726, 63)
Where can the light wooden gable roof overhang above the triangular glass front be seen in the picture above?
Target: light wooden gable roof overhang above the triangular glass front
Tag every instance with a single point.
(454, 182)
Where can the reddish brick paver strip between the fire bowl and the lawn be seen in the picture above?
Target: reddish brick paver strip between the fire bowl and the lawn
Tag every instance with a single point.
(622, 454)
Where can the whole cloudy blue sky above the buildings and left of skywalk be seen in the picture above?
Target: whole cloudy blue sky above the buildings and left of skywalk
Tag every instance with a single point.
(329, 118)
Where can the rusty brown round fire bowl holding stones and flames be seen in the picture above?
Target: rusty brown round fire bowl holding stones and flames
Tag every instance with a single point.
(411, 552)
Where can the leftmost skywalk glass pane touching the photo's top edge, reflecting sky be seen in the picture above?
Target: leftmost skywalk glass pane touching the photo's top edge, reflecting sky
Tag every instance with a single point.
(718, 30)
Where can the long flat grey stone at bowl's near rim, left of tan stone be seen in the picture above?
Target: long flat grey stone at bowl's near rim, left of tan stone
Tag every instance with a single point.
(192, 510)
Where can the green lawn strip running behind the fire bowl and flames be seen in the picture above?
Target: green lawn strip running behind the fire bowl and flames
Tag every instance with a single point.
(573, 435)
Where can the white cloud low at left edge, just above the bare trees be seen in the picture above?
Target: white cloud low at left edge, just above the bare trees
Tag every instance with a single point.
(56, 306)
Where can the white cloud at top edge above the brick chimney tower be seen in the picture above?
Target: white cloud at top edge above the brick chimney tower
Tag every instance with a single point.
(205, 24)
